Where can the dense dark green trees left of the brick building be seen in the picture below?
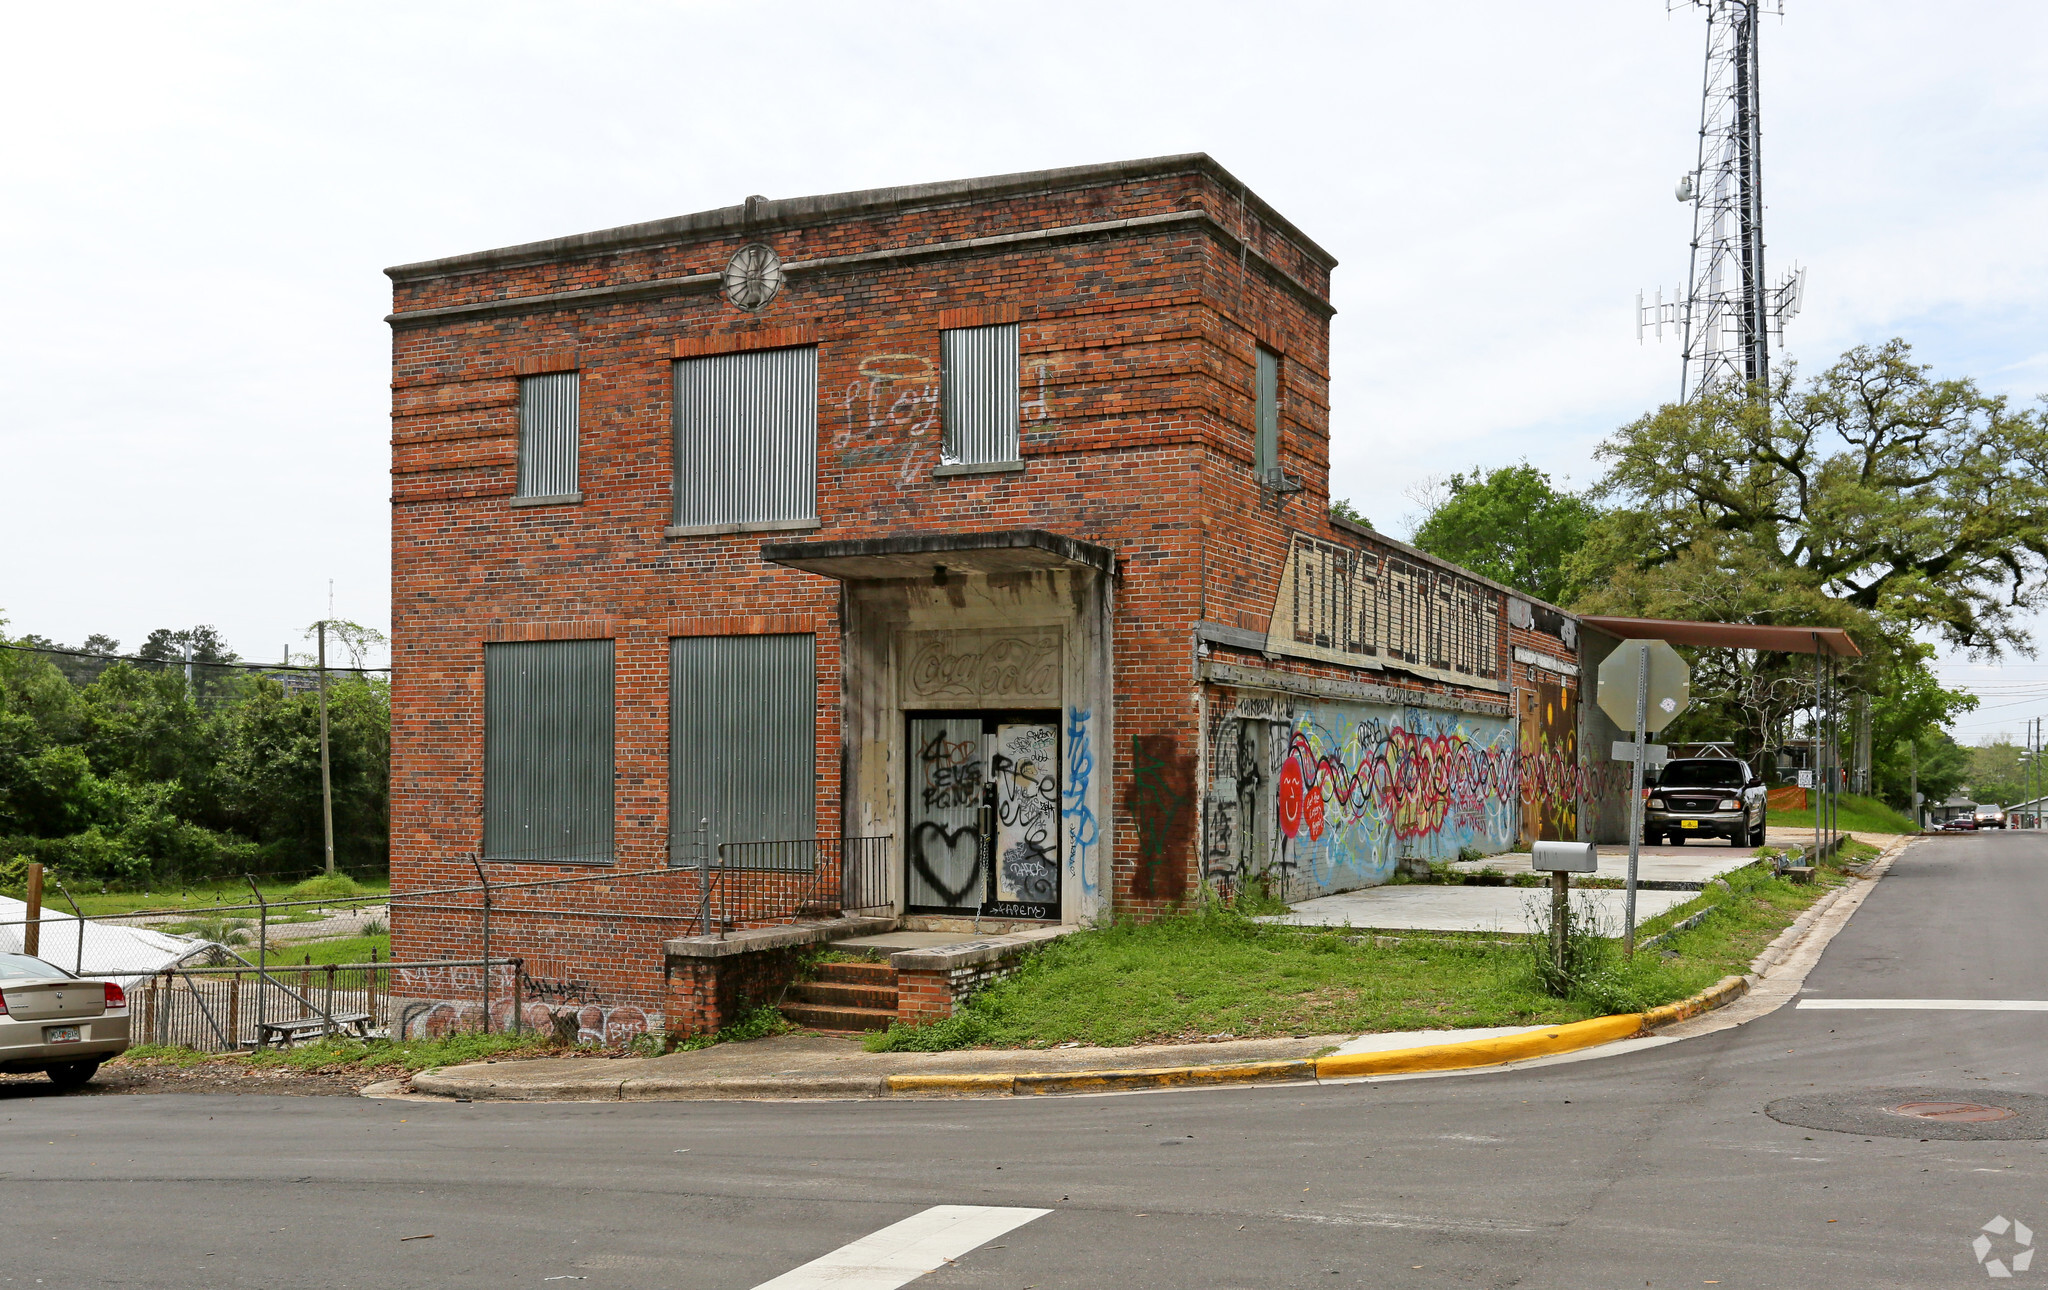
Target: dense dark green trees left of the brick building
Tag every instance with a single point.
(134, 775)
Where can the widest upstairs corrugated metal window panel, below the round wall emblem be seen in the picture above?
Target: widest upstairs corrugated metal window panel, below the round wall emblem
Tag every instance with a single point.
(746, 437)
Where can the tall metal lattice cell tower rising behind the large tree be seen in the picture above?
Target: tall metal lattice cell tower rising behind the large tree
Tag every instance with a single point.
(1727, 316)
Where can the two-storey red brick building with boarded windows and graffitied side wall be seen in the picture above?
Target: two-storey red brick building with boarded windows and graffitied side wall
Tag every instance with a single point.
(988, 519)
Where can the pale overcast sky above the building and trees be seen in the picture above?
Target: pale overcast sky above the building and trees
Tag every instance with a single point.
(198, 204)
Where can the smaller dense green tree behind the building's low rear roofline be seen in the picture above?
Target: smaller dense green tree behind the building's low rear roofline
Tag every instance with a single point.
(1510, 525)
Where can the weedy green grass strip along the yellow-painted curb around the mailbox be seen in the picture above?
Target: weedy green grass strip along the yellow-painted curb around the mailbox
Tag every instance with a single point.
(1215, 974)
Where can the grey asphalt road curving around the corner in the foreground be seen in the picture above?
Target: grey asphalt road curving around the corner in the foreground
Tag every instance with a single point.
(1648, 1170)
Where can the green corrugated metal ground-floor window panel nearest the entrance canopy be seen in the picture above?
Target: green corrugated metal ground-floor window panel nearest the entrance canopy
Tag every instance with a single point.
(742, 748)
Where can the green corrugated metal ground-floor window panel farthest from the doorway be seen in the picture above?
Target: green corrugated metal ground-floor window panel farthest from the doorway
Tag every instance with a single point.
(548, 750)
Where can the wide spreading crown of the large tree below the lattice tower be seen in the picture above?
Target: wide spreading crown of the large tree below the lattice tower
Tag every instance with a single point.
(1912, 499)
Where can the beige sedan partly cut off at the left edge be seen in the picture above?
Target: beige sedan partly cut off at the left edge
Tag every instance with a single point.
(56, 1023)
